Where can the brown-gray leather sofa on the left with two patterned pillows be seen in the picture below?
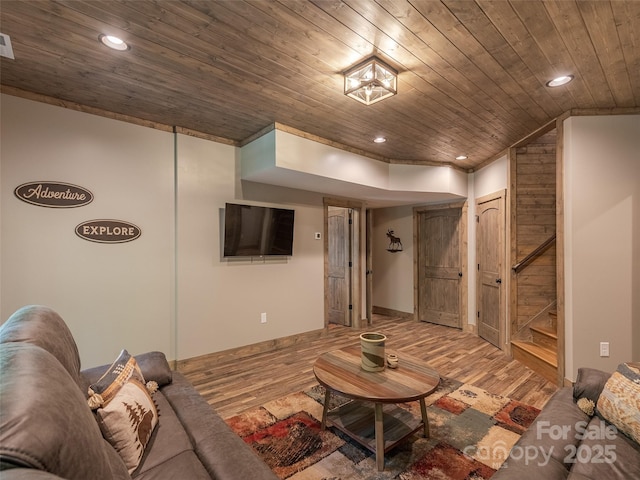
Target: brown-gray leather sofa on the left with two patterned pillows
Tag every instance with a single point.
(48, 431)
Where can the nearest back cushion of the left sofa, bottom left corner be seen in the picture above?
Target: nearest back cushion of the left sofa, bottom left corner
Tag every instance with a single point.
(45, 423)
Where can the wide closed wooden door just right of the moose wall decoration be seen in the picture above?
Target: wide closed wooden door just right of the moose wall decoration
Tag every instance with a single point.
(440, 267)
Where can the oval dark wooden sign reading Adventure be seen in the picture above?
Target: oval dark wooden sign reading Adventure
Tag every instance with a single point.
(53, 194)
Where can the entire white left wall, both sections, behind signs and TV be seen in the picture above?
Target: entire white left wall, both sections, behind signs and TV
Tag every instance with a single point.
(169, 290)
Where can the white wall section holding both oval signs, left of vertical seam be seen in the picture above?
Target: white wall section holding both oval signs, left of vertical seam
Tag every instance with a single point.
(112, 296)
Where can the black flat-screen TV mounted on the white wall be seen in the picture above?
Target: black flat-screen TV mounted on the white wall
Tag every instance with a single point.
(253, 231)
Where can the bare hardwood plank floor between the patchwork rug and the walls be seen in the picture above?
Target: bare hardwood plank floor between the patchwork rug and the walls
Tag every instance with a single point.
(232, 384)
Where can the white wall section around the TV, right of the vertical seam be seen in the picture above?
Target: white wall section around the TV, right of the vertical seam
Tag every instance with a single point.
(219, 300)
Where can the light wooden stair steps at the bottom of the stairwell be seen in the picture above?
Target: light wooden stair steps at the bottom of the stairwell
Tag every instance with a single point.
(538, 349)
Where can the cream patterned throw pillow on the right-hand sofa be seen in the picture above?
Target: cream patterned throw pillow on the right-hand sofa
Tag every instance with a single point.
(619, 402)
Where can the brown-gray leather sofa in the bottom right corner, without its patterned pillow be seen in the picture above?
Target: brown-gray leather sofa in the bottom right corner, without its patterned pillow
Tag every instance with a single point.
(564, 442)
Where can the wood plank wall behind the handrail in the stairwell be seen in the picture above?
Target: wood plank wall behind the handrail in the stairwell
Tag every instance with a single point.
(534, 221)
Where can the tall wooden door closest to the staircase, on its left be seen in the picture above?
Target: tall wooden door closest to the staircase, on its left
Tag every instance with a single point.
(490, 259)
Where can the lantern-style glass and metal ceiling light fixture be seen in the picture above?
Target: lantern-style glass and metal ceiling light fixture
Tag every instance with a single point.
(370, 81)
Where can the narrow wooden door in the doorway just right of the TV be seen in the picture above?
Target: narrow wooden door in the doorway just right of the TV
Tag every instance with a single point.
(339, 262)
